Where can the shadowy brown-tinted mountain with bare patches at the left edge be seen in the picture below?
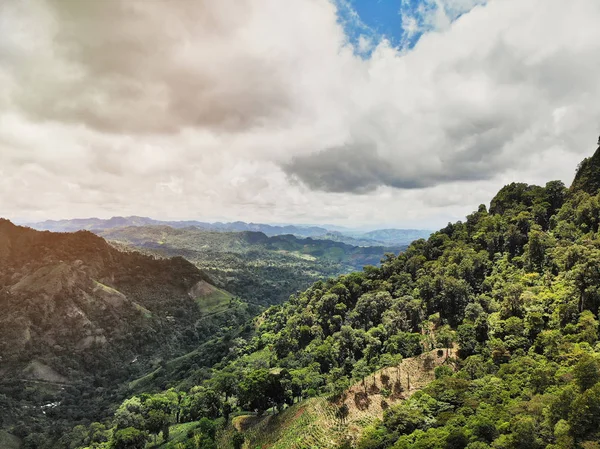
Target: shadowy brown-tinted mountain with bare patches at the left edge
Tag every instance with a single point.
(80, 319)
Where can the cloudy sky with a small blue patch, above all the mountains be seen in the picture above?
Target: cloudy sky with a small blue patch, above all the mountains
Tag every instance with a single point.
(378, 113)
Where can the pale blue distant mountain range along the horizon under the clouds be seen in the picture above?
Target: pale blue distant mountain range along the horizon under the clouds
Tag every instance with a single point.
(378, 237)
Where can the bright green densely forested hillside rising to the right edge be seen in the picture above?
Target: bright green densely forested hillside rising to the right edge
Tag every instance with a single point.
(515, 288)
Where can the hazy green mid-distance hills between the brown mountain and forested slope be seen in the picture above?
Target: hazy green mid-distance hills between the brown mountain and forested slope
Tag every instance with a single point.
(262, 269)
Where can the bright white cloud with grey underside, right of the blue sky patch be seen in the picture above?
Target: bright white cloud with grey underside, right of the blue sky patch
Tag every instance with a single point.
(458, 109)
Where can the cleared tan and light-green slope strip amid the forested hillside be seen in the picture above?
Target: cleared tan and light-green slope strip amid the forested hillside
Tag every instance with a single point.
(317, 423)
